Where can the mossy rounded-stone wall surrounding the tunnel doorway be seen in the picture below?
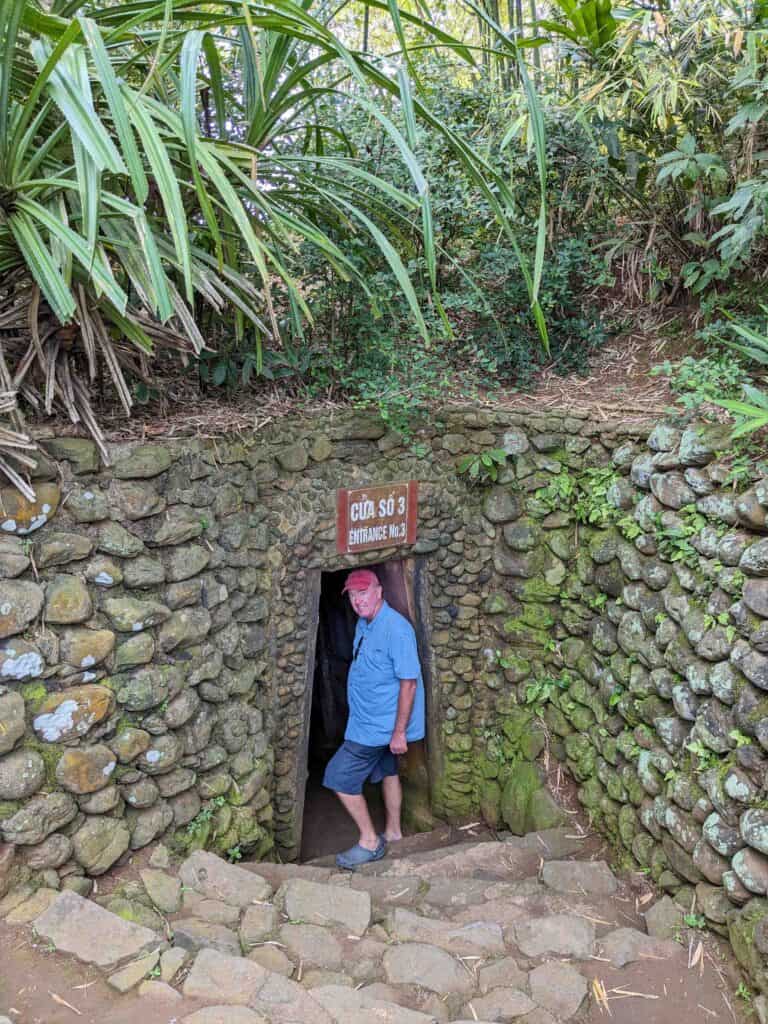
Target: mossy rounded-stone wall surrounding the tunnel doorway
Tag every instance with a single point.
(608, 598)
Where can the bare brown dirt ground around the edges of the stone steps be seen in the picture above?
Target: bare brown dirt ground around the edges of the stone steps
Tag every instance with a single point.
(41, 987)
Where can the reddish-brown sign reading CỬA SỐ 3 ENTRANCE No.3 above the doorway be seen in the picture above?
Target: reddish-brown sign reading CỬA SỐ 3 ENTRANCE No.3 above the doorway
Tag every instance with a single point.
(376, 518)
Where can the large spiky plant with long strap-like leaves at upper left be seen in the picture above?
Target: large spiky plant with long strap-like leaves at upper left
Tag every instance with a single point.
(126, 207)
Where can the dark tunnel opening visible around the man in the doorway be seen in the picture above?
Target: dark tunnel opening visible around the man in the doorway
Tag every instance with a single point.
(326, 827)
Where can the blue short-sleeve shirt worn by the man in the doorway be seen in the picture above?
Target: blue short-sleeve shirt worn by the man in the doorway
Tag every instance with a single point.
(387, 654)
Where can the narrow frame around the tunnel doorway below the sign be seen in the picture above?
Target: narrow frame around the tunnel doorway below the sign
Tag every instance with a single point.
(416, 572)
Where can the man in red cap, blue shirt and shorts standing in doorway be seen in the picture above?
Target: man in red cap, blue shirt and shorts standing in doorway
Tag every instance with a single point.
(386, 693)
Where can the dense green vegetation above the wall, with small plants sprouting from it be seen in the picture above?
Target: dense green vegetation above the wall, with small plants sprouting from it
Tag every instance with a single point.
(378, 204)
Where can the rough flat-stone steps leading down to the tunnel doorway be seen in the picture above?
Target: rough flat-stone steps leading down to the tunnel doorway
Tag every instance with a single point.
(514, 930)
